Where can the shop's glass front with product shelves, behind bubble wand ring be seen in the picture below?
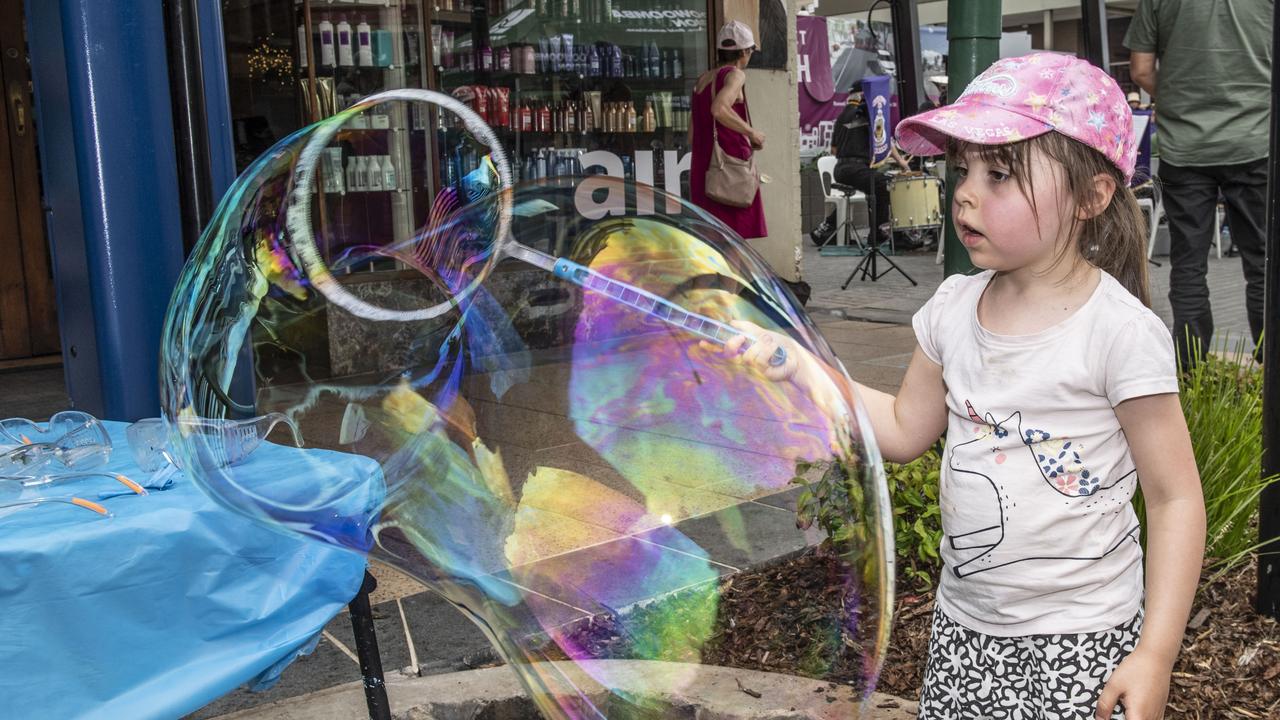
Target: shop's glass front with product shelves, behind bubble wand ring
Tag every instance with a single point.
(572, 88)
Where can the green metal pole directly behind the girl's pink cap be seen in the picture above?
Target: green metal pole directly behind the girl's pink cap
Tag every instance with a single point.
(973, 34)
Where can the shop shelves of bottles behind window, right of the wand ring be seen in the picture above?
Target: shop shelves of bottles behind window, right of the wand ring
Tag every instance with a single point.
(564, 79)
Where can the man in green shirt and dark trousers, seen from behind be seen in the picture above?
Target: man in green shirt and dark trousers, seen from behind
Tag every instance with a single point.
(1208, 67)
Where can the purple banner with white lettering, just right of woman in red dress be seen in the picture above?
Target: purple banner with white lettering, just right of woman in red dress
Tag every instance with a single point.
(820, 103)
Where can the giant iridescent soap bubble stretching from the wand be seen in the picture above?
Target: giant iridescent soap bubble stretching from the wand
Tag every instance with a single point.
(575, 408)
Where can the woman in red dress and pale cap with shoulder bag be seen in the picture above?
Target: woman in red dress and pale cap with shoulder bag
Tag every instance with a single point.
(720, 97)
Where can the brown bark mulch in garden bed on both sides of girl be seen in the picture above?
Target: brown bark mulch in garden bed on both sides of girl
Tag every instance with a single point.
(1229, 667)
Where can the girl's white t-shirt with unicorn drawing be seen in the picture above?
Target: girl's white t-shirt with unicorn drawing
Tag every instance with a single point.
(1039, 532)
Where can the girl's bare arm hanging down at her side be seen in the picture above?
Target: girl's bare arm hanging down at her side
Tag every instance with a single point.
(1162, 449)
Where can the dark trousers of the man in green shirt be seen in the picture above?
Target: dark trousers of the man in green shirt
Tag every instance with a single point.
(1191, 202)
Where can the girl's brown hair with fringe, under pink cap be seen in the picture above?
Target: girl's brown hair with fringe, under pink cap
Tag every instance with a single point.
(1116, 239)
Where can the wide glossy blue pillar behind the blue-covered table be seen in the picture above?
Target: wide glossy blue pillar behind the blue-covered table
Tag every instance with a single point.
(112, 167)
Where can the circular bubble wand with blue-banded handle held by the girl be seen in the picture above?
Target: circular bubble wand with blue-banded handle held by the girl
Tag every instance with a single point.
(299, 221)
